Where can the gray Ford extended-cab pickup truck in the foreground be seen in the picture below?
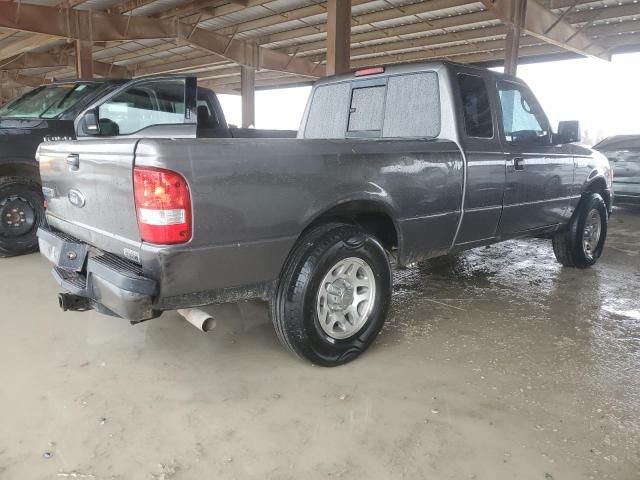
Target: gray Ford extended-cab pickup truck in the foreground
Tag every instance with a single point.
(396, 164)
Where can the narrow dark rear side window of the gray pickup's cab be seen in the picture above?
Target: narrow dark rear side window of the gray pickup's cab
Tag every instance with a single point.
(475, 106)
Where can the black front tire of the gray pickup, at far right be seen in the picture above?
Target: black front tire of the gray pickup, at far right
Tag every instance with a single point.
(568, 244)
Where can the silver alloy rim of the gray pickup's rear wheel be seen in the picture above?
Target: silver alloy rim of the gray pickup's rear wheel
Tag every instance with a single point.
(346, 297)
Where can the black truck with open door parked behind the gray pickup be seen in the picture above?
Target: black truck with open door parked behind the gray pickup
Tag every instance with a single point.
(49, 113)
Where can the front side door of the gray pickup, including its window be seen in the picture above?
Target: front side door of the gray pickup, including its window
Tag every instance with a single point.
(539, 176)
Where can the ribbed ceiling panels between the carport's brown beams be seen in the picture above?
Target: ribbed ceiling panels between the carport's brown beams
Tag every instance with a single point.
(383, 32)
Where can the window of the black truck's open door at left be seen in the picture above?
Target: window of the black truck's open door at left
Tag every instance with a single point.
(142, 105)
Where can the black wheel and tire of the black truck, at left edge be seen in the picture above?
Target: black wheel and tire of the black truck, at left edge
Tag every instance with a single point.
(21, 213)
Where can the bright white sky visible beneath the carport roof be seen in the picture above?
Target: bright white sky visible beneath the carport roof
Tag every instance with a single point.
(604, 97)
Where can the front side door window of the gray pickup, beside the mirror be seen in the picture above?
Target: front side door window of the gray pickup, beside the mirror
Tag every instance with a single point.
(522, 117)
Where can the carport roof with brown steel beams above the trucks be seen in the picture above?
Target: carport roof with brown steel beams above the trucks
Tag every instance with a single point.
(238, 45)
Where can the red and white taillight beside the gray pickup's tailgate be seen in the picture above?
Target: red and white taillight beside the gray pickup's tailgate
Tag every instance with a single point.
(163, 206)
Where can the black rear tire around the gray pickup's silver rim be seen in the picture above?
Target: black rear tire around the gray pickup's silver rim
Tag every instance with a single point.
(294, 308)
